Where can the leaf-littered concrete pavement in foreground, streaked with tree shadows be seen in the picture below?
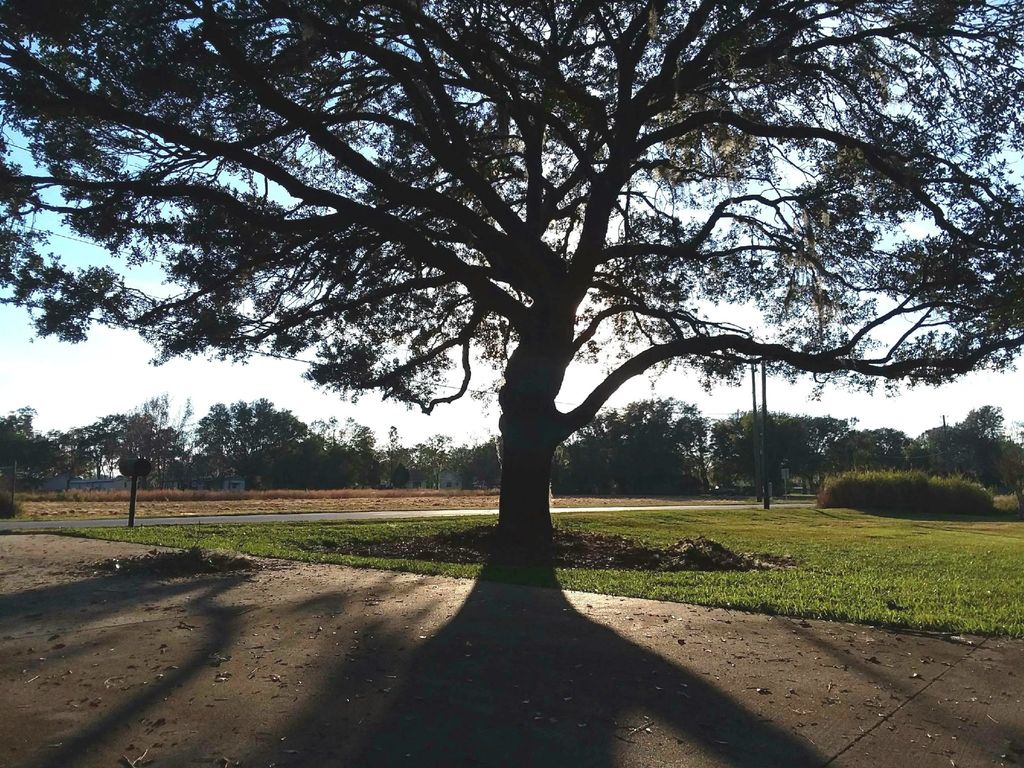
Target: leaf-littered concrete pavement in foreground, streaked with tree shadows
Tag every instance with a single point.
(325, 666)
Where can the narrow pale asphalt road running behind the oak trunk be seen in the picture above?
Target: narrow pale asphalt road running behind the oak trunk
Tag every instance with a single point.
(327, 517)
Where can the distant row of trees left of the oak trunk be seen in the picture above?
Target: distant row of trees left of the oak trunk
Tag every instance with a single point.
(268, 447)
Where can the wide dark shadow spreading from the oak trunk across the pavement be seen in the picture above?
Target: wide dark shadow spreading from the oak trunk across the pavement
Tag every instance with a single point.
(518, 677)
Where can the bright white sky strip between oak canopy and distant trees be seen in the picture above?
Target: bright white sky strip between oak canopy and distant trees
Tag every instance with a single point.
(72, 386)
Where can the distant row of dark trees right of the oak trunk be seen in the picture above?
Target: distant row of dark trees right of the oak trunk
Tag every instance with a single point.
(665, 447)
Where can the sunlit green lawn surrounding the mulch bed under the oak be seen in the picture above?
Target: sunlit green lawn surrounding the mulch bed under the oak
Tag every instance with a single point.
(955, 574)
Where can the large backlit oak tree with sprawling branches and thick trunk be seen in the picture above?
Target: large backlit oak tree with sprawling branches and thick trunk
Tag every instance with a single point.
(404, 189)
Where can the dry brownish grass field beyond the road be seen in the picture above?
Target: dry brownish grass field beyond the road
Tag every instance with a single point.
(106, 504)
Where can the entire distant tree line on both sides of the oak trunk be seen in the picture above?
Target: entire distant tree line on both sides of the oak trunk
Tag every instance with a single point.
(655, 447)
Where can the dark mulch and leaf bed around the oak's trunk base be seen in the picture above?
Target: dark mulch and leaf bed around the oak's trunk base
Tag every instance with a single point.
(571, 549)
